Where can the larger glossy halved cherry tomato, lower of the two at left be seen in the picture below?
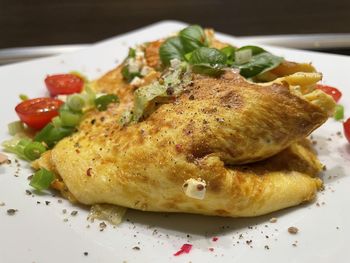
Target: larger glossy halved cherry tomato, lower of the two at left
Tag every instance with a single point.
(36, 113)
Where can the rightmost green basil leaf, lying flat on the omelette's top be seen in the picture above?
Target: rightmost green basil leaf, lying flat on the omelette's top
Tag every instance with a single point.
(259, 64)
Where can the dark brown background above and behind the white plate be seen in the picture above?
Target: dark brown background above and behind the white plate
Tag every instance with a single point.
(45, 22)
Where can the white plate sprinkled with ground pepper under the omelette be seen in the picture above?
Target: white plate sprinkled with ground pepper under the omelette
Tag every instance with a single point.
(38, 233)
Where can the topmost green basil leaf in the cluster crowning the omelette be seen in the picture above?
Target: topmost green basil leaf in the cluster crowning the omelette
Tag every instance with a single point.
(193, 37)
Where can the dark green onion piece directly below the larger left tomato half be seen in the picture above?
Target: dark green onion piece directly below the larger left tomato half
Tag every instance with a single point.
(51, 134)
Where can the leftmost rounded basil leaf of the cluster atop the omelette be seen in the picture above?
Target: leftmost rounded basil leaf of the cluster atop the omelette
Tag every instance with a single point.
(172, 48)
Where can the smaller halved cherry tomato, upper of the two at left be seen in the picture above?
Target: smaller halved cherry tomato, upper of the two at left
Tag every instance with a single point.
(62, 84)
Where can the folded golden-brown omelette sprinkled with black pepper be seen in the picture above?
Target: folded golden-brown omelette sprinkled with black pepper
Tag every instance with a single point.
(224, 146)
